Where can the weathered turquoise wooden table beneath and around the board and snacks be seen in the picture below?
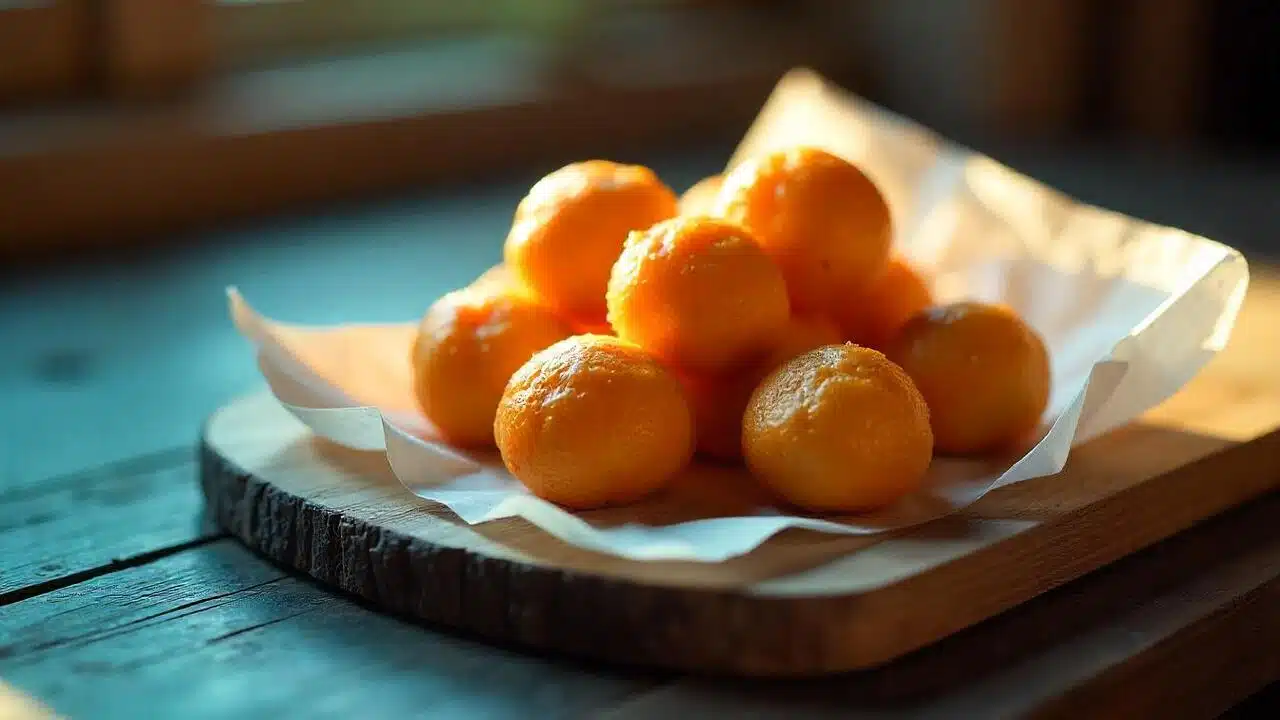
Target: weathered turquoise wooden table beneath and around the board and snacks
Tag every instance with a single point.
(120, 600)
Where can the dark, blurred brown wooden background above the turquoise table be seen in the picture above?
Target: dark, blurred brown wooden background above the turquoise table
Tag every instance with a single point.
(132, 122)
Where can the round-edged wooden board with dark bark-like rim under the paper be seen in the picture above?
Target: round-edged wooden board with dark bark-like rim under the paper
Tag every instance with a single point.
(806, 604)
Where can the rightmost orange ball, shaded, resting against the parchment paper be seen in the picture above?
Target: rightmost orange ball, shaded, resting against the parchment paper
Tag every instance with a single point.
(984, 372)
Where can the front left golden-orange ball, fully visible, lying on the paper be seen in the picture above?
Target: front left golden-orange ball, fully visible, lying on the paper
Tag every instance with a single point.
(593, 422)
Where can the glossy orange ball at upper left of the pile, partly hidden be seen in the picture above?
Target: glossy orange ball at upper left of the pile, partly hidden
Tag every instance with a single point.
(570, 230)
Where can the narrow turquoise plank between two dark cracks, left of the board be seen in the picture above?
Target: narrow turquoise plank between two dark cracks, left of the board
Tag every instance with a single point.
(71, 528)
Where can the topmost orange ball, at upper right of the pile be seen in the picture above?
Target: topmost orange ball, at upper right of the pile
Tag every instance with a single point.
(821, 218)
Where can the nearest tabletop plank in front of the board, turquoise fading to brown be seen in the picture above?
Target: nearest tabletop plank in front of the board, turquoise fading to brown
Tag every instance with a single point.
(217, 634)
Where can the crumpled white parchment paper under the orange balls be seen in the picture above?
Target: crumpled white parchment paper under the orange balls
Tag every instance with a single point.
(1131, 312)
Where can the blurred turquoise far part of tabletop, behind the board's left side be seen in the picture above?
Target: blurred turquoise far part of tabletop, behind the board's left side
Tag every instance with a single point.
(139, 367)
